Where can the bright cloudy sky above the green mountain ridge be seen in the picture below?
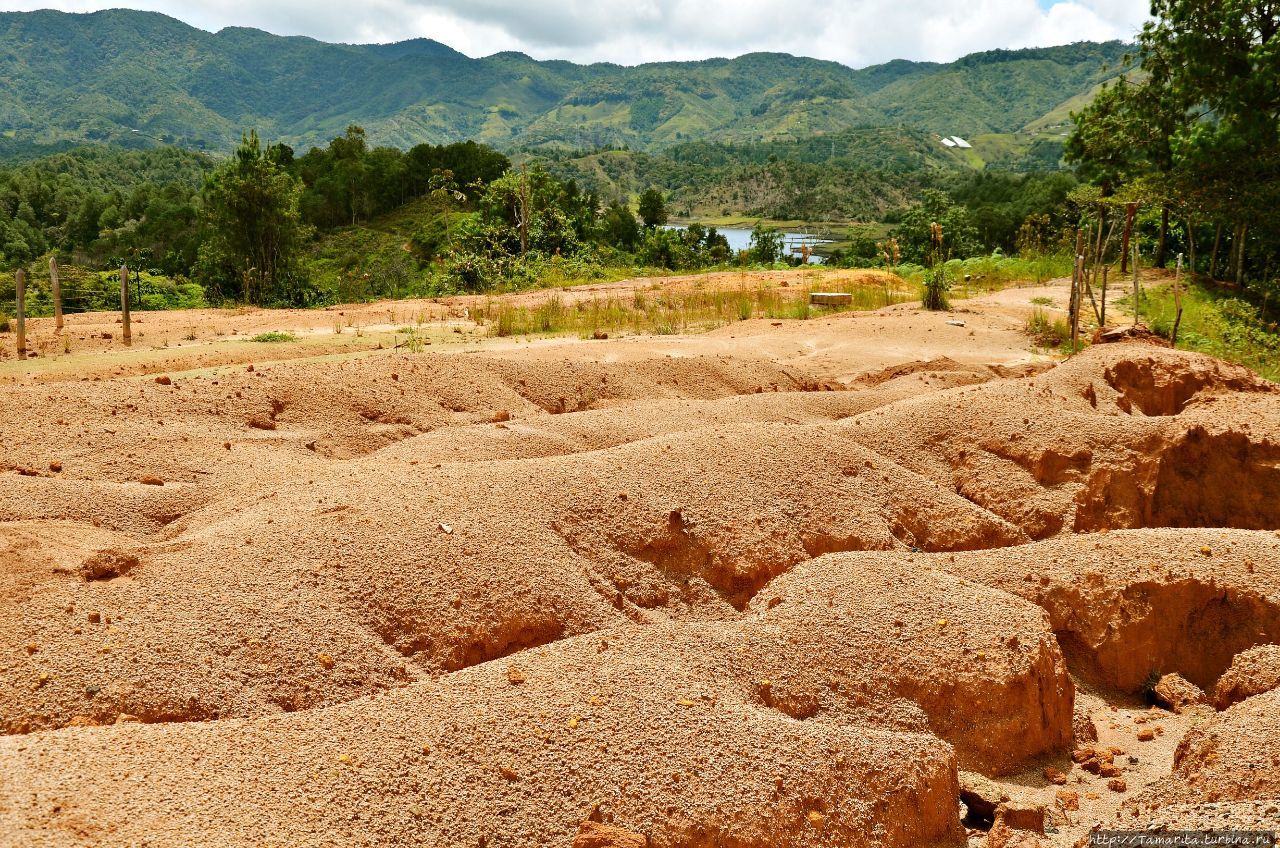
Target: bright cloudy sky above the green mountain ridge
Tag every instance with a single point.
(857, 33)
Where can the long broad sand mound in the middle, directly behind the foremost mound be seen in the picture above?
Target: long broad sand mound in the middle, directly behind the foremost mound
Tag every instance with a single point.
(396, 571)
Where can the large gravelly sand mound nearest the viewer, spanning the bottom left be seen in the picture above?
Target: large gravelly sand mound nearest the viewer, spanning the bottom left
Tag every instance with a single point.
(719, 745)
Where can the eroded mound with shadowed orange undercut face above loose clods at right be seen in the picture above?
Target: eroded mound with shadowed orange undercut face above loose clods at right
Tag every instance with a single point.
(1132, 607)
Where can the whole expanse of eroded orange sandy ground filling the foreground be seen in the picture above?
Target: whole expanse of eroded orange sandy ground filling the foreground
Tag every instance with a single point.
(883, 578)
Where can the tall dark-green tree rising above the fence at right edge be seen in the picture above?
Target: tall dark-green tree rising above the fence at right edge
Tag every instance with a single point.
(1205, 112)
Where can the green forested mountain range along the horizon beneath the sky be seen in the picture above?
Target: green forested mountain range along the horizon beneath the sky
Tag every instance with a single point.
(97, 77)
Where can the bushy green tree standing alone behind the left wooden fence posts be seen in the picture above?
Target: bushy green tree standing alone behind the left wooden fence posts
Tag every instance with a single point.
(253, 229)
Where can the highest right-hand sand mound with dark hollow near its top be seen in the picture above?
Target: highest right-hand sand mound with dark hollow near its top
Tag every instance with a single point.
(1068, 452)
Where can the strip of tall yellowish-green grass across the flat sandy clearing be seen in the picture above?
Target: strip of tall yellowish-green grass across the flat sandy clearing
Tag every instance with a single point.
(701, 308)
